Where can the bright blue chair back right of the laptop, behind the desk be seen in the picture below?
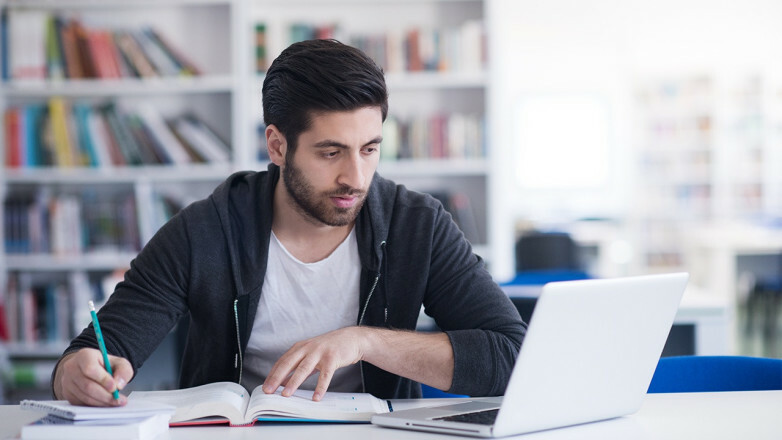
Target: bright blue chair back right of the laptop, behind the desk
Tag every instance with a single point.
(686, 374)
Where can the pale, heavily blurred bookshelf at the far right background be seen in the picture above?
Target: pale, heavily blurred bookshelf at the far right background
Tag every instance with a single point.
(708, 152)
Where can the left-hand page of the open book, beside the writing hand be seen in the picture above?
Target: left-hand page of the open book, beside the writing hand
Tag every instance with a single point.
(224, 399)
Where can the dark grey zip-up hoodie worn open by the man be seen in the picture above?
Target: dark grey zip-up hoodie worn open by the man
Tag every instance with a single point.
(209, 262)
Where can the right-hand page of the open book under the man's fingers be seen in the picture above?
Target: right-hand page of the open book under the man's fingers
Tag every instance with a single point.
(333, 406)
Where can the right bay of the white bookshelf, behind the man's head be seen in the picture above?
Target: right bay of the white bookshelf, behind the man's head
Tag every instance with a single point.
(434, 89)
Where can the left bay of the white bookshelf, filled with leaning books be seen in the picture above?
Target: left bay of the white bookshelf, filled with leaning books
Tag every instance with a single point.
(70, 228)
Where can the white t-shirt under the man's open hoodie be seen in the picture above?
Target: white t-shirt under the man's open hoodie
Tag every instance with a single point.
(300, 301)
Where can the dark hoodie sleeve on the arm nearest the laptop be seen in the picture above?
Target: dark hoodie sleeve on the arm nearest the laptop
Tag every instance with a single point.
(482, 323)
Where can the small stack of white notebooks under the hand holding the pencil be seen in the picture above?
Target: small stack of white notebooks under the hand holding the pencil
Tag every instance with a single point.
(135, 420)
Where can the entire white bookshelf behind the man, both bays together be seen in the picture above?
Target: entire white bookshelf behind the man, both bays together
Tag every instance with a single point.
(218, 37)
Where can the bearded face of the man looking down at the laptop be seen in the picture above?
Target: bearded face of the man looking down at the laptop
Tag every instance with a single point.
(332, 167)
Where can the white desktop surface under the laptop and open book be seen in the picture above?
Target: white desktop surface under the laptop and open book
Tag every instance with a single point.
(714, 416)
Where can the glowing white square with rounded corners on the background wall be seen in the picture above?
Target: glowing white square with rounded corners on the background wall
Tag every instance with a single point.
(562, 142)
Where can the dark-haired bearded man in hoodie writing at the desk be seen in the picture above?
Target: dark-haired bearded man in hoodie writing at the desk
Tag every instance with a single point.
(312, 273)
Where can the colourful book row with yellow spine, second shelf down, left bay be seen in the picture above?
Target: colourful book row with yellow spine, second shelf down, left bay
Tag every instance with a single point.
(74, 134)
